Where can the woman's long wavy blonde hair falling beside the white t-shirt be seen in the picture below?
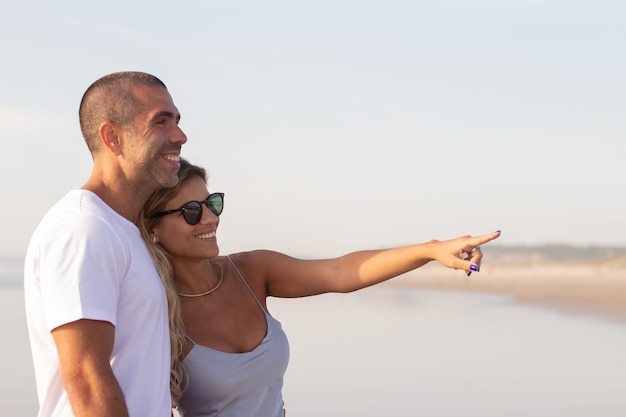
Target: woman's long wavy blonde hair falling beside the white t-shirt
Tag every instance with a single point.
(156, 203)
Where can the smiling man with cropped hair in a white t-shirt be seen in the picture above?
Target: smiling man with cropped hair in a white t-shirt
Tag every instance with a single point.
(96, 308)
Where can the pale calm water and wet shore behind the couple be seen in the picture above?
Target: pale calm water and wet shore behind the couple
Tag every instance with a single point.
(397, 351)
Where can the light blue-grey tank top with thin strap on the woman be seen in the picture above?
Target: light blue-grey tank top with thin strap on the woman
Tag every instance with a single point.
(238, 384)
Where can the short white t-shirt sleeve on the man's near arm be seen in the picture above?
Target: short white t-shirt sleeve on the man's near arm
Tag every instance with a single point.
(81, 271)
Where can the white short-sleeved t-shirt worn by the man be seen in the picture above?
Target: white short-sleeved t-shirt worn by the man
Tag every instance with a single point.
(85, 261)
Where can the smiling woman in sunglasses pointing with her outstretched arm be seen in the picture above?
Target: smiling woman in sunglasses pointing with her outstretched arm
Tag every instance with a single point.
(232, 354)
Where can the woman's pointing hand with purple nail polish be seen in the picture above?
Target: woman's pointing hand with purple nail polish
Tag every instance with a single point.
(461, 253)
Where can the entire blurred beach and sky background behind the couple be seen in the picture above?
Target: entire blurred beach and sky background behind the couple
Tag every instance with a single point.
(334, 126)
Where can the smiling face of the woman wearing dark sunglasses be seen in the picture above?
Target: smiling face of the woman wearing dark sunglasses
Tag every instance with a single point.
(182, 240)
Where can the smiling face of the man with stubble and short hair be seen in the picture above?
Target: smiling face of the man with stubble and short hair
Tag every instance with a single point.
(152, 145)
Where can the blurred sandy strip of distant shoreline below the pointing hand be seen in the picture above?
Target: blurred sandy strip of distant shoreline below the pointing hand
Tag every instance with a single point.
(590, 288)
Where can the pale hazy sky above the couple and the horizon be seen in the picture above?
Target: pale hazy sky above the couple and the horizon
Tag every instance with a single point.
(340, 125)
